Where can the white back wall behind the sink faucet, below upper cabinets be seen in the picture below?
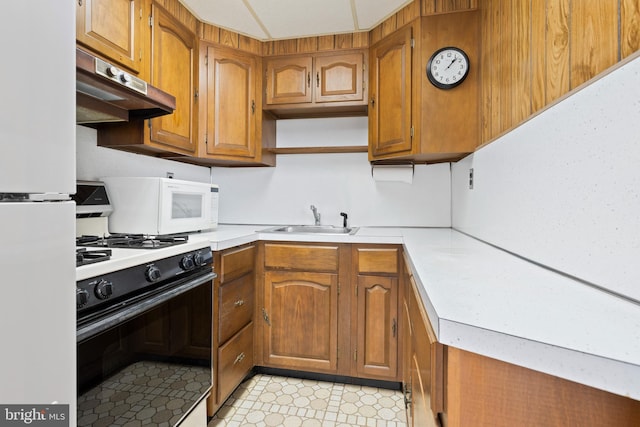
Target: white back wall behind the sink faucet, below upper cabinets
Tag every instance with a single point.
(334, 183)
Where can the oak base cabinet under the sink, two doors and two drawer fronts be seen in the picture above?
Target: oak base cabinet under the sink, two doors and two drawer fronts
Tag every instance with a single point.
(331, 309)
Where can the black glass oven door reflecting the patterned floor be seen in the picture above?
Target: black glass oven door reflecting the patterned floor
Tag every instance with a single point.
(149, 361)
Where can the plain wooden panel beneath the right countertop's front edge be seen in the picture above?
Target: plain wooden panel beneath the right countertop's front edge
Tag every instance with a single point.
(486, 392)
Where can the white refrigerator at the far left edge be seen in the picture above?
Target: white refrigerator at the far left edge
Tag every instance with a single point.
(37, 237)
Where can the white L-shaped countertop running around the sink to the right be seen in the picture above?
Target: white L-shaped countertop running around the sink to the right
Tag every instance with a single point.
(484, 300)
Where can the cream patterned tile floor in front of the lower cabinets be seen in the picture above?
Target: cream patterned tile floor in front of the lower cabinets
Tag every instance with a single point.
(266, 400)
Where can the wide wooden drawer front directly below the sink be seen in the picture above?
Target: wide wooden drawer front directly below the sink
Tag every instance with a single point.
(301, 257)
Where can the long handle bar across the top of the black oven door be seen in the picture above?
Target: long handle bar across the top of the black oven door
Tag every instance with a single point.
(113, 319)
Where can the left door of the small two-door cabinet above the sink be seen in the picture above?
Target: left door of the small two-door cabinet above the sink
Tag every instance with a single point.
(288, 80)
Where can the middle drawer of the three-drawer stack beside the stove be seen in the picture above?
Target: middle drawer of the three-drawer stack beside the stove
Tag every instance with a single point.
(236, 306)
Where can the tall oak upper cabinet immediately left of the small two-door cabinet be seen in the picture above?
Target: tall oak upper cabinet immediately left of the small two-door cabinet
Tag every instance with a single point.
(233, 124)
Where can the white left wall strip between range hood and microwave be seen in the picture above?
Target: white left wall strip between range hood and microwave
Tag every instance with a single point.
(93, 162)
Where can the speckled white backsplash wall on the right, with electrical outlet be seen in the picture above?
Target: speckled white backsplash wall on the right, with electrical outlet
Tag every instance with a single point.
(563, 189)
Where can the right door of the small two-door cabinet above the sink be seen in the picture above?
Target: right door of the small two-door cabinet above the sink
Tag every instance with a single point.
(339, 78)
